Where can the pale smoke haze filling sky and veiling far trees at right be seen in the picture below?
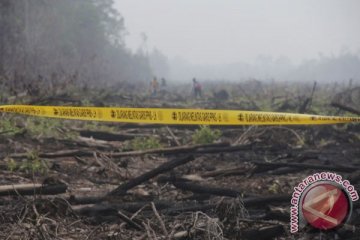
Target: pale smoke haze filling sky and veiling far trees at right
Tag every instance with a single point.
(289, 40)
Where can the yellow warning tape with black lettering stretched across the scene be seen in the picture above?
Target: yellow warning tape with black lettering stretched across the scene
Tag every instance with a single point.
(175, 116)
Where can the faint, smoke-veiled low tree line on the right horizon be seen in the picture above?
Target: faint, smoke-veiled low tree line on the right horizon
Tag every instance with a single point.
(333, 68)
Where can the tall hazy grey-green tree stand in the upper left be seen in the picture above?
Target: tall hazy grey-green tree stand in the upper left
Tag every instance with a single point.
(79, 38)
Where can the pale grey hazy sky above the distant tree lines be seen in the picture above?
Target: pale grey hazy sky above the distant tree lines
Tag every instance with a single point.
(225, 31)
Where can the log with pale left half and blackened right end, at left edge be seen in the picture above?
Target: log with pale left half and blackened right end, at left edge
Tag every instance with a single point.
(32, 189)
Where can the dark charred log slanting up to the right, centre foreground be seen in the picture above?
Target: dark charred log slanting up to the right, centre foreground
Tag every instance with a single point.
(123, 188)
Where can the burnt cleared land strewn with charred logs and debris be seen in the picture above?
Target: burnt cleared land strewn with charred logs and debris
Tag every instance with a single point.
(89, 180)
